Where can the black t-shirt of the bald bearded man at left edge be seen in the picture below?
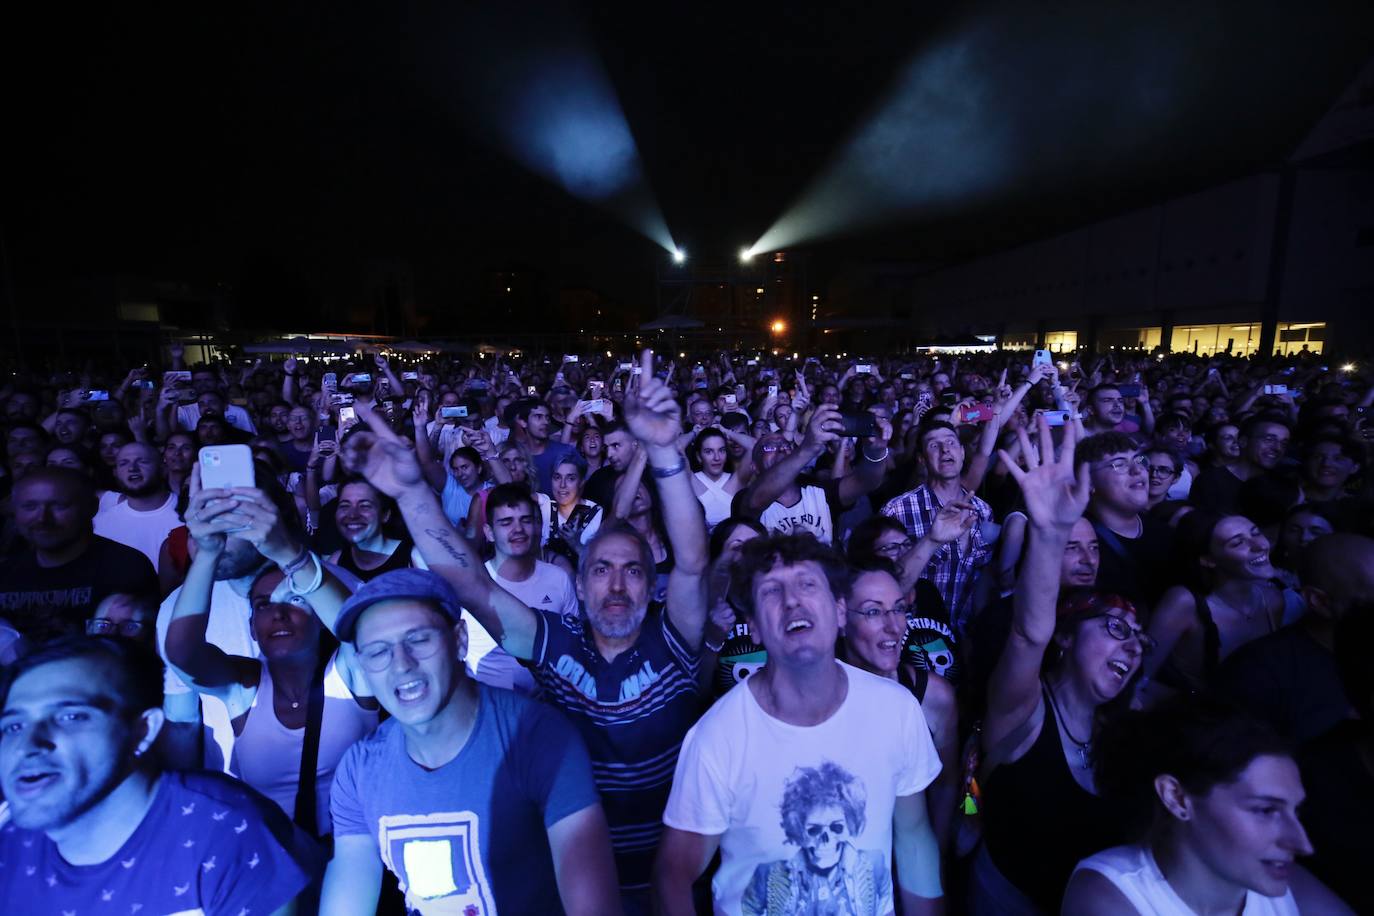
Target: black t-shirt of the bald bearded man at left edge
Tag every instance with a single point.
(47, 602)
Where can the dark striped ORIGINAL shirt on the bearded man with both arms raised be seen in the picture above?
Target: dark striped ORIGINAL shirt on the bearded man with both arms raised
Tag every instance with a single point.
(633, 713)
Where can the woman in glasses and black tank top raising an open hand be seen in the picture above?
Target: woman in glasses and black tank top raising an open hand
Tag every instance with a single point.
(1070, 663)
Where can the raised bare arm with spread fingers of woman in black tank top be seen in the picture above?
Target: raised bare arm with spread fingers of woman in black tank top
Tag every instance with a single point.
(1055, 501)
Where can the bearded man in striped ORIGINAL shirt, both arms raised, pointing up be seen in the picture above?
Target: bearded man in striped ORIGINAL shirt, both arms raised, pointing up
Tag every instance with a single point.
(623, 672)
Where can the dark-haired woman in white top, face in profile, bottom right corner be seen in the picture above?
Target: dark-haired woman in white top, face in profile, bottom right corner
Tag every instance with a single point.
(1221, 794)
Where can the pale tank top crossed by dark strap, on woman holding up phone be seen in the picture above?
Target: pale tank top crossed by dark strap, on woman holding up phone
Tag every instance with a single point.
(267, 756)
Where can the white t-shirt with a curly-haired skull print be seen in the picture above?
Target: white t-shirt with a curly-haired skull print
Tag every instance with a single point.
(743, 775)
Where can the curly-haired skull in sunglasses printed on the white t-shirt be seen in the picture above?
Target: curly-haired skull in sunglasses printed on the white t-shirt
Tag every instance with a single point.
(824, 816)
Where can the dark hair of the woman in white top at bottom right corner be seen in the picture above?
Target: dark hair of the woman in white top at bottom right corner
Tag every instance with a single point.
(1200, 741)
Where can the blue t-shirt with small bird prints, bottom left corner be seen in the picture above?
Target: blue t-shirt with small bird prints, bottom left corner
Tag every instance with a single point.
(210, 844)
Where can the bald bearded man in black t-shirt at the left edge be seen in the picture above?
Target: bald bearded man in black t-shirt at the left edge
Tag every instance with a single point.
(68, 571)
